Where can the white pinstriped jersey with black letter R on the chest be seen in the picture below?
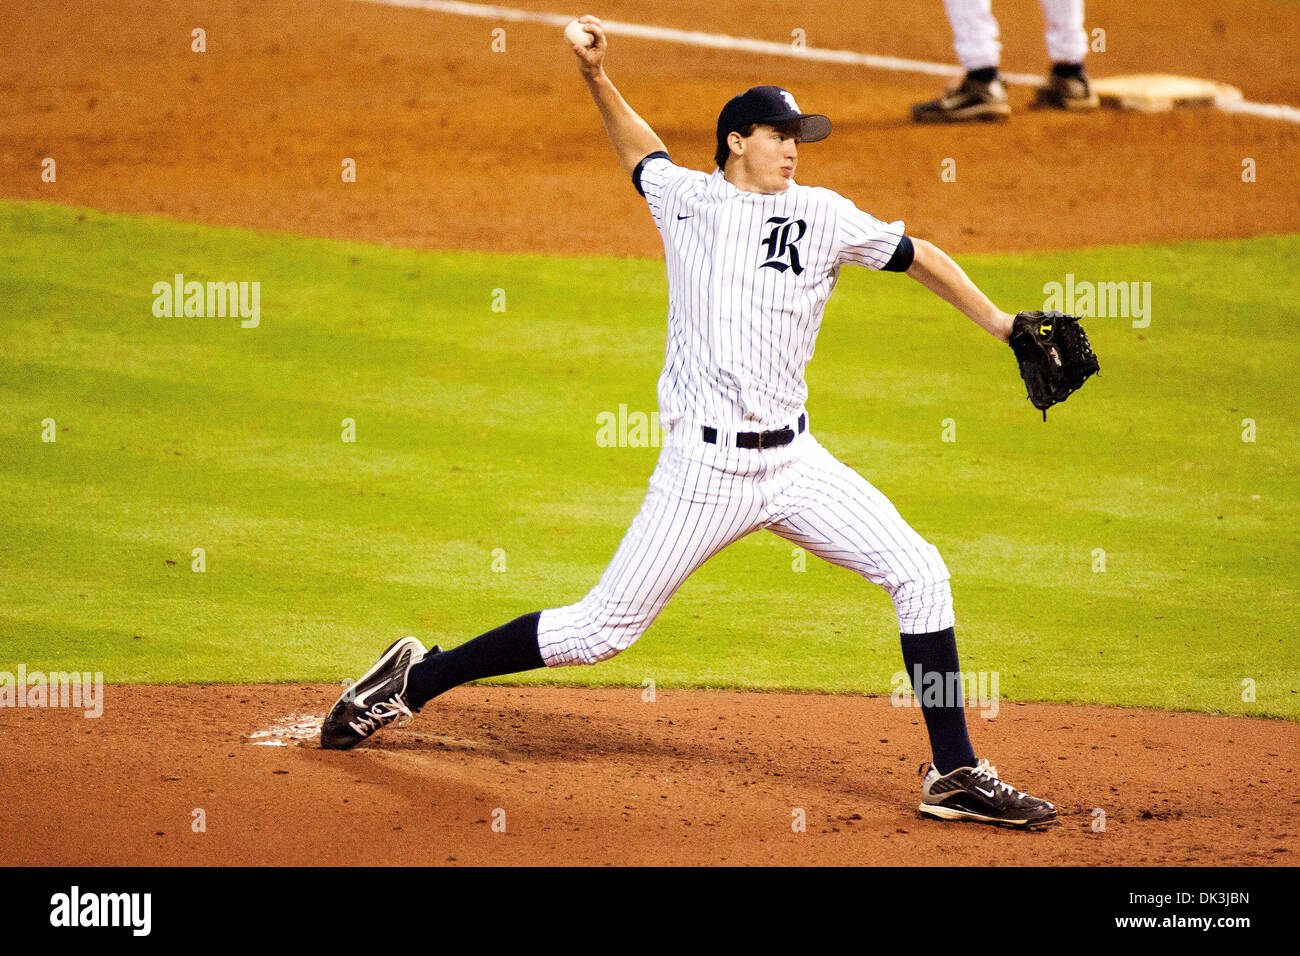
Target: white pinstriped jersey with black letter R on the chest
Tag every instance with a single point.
(749, 276)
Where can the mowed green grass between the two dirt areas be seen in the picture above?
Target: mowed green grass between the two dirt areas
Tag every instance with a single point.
(476, 431)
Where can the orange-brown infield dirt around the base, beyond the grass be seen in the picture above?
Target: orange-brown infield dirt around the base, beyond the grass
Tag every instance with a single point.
(460, 148)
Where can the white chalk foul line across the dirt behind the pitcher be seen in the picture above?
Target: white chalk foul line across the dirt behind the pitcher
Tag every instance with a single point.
(749, 46)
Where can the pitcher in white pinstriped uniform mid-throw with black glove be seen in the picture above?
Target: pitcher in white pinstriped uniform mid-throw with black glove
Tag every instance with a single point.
(752, 259)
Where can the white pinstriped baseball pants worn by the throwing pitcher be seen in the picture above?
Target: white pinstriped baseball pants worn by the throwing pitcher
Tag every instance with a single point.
(707, 498)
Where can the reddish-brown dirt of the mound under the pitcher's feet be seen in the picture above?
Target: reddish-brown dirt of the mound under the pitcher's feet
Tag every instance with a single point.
(606, 777)
